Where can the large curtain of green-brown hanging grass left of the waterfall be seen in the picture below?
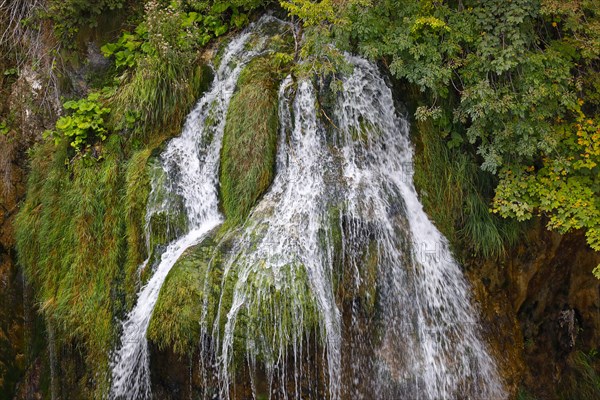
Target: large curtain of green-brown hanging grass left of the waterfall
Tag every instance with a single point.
(80, 237)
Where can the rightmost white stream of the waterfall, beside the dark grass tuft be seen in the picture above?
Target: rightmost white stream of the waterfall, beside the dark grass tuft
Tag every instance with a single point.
(429, 347)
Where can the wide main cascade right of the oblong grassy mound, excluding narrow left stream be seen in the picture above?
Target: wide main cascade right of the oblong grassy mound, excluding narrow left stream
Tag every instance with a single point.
(350, 174)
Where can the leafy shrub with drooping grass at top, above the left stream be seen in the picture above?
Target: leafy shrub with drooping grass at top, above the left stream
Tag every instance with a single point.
(162, 75)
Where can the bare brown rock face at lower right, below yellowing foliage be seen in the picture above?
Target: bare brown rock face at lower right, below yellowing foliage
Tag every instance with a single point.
(542, 307)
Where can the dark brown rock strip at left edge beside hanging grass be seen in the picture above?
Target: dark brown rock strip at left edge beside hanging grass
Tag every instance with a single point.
(23, 112)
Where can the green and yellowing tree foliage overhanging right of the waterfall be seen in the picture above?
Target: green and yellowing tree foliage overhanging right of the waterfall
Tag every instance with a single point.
(525, 74)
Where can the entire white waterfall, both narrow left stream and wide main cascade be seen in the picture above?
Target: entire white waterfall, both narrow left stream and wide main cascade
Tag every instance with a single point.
(337, 285)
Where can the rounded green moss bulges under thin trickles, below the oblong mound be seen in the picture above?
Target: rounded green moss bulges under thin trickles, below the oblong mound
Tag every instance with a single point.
(200, 278)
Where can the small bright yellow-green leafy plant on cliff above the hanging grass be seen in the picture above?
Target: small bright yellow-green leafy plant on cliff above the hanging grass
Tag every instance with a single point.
(84, 125)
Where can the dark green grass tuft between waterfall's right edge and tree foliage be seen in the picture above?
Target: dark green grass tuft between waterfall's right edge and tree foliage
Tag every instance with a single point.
(453, 191)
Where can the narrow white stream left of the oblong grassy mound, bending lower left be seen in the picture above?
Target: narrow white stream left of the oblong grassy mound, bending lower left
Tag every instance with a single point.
(190, 163)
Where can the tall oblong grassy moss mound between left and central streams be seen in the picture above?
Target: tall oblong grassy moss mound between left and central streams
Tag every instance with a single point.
(250, 139)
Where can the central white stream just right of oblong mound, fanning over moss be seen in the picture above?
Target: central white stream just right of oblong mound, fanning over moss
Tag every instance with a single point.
(280, 246)
